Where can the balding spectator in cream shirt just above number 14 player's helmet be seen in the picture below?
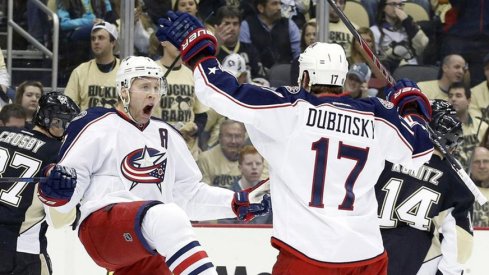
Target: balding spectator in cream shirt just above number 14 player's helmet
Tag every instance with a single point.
(452, 69)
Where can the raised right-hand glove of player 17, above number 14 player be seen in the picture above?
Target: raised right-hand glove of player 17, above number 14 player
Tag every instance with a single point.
(409, 99)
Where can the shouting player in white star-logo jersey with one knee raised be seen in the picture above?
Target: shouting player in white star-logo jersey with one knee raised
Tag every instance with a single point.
(136, 182)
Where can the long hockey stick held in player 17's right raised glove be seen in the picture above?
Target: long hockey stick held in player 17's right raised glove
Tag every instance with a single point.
(373, 60)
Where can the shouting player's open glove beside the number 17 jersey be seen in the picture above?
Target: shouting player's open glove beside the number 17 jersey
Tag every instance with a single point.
(252, 202)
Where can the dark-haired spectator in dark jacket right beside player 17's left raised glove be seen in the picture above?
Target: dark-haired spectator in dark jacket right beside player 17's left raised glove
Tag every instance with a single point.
(227, 29)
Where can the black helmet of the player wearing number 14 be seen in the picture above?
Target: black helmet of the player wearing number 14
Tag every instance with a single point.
(445, 124)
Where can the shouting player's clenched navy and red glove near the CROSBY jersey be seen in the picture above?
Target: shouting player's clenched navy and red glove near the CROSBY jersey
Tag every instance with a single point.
(58, 187)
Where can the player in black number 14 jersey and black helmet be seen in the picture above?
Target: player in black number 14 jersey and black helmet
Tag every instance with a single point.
(424, 214)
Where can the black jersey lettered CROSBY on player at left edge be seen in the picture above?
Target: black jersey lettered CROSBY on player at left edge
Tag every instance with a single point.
(24, 154)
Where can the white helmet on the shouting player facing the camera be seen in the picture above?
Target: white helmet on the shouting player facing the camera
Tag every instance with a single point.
(138, 66)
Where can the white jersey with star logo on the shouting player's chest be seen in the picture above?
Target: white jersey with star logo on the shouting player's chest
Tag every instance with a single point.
(116, 161)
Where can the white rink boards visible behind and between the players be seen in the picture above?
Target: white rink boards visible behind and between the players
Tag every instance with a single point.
(234, 250)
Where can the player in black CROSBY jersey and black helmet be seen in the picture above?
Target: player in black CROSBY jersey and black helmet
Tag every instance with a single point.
(24, 154)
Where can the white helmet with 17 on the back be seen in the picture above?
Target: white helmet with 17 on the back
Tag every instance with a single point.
(326, 64)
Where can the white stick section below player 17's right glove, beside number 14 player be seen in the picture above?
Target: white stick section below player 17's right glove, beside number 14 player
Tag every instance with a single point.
(479, 197)
